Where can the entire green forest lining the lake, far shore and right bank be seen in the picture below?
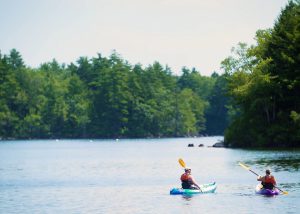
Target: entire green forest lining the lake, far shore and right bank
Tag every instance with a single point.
(256, 100)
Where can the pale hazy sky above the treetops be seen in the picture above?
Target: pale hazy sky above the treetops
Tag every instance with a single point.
(177, 33)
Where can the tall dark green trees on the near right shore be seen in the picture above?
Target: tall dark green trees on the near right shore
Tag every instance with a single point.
(264, 84)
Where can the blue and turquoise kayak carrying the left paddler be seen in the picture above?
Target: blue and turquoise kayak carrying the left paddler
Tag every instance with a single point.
(205, 188)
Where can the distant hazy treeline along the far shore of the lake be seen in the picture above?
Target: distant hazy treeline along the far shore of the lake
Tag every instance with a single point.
(107, 98)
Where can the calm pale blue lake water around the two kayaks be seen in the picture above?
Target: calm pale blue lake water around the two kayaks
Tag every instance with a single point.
(135, 176)
